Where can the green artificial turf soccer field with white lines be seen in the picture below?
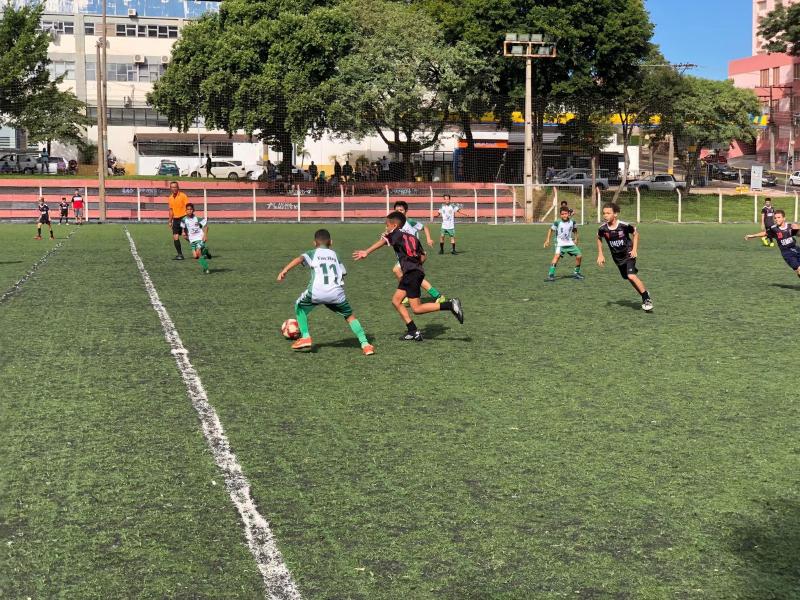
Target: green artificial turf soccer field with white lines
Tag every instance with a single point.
(561, 443)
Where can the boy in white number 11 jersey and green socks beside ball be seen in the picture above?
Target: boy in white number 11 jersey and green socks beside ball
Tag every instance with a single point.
(326, 287)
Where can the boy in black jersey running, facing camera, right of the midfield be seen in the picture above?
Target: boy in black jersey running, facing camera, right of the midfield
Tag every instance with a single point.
(623, 243)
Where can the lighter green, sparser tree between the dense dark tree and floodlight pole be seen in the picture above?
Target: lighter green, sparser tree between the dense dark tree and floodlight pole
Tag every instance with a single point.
(399, 79)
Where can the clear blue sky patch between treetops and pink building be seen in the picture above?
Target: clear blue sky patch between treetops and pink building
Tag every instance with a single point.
(708, 33)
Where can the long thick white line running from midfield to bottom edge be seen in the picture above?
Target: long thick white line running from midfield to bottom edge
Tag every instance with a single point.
(278, 582)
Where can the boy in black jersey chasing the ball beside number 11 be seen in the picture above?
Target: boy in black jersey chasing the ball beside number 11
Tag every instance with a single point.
(411, 256)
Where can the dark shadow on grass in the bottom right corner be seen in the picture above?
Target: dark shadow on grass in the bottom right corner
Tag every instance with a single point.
(769, 545)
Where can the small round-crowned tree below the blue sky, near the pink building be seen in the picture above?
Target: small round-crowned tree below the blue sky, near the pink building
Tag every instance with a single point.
(707, 112)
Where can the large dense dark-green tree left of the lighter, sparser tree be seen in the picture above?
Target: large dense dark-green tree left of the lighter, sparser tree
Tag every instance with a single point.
(255, 66)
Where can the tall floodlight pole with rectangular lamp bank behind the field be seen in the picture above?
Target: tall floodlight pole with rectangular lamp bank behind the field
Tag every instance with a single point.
(529, 46)
